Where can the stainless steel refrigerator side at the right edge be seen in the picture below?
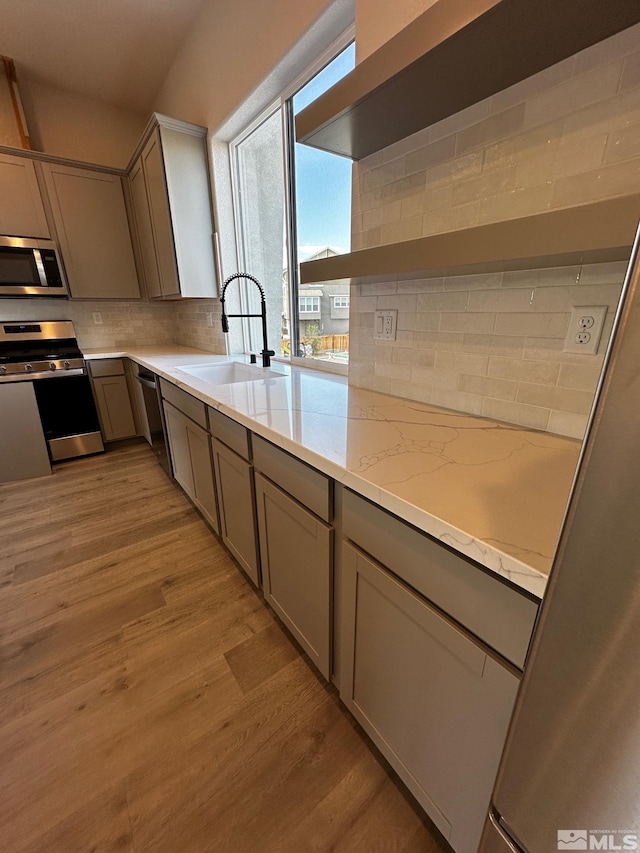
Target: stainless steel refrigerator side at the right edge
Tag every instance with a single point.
(570, 774)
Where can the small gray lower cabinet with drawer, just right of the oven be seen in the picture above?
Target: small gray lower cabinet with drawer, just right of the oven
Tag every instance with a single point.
(111, 390)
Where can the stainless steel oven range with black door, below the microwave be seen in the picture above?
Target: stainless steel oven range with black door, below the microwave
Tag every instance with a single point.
(47, 355)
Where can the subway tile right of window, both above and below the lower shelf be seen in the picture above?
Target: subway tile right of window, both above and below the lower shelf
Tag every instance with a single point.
(492, 344)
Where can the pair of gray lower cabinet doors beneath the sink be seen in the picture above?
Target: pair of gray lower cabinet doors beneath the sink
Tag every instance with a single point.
(191, 458)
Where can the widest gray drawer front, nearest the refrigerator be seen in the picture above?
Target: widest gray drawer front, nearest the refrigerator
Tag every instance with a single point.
(497, 614)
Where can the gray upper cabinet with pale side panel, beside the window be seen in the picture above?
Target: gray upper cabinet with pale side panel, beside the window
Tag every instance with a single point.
(169, 182)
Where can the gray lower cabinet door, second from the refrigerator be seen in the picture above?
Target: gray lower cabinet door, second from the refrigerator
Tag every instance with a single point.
(295, 557)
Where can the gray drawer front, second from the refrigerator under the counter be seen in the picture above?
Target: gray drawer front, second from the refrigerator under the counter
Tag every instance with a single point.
(300, 480)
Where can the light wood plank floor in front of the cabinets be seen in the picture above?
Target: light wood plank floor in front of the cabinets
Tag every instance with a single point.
(149, 700)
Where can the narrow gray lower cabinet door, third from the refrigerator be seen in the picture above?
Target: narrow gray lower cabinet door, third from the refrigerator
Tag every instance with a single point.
(234, 482)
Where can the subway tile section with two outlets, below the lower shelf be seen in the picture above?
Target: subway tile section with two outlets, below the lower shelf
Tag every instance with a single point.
(488, 344)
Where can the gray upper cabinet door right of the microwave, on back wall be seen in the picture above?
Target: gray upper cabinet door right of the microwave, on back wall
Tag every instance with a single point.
(92, 225)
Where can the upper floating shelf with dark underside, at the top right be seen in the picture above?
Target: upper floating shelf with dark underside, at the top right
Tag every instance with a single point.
(454, 55)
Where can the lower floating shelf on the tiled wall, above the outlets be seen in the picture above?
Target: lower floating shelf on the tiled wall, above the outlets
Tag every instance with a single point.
(599, 232)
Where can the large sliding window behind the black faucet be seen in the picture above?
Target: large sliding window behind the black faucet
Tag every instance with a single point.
(291, 203)
